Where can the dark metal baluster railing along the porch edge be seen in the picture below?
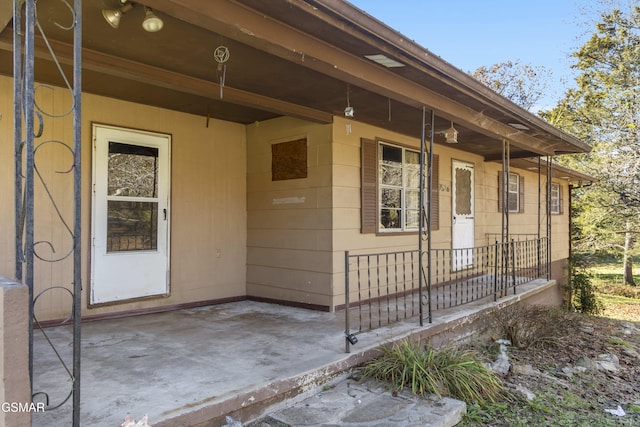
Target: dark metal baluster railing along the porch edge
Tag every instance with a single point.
(383, 288)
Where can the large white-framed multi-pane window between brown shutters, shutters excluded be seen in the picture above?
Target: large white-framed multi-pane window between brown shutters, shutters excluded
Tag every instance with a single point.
(399, 188)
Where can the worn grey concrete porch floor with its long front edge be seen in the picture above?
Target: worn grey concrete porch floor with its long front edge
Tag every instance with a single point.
(194, 366)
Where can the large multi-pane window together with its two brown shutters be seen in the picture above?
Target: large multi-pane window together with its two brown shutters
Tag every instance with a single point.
(391, 188)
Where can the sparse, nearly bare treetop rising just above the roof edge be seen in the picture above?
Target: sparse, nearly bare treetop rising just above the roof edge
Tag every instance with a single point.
(523, 84)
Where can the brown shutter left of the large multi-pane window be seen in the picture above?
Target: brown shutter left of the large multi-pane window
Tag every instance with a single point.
(368, 180)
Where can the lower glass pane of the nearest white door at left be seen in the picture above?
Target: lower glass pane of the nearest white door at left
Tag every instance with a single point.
(132, 226)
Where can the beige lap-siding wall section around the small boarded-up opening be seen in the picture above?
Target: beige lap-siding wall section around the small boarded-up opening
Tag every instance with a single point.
(289, 253)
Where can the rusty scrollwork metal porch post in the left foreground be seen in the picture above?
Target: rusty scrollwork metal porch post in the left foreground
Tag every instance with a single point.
(29, 130)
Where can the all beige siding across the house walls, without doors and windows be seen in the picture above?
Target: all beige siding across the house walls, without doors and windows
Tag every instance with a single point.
(235, 232)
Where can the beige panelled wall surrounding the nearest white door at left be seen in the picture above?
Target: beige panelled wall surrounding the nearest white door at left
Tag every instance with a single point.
(208, 215)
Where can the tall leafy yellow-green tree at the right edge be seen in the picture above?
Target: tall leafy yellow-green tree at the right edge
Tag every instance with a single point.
(604, 110)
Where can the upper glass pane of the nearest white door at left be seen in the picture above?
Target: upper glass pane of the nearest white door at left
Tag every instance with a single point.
(133, 170)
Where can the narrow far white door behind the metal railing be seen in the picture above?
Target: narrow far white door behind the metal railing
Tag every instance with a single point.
(462, 229)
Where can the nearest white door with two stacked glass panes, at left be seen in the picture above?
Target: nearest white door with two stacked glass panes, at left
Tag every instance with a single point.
(130, 214)
